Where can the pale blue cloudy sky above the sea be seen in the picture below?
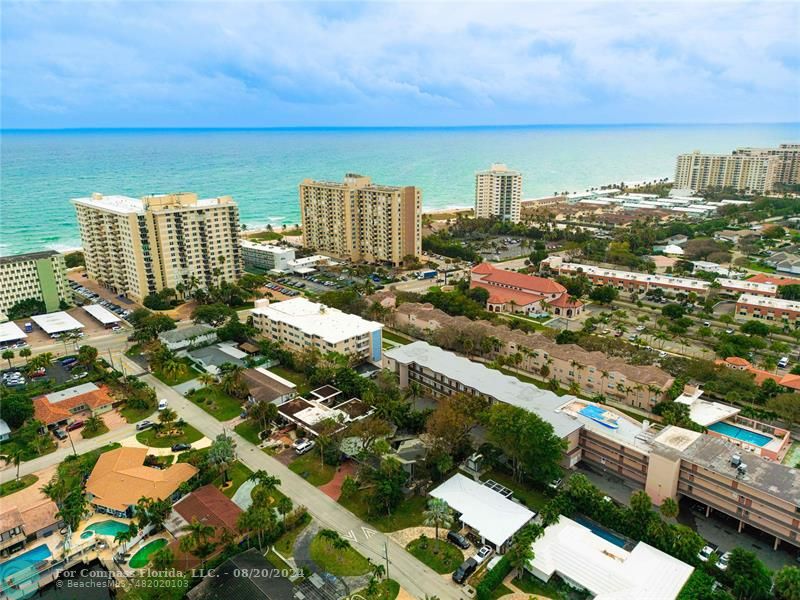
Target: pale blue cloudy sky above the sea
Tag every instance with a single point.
(267, 64)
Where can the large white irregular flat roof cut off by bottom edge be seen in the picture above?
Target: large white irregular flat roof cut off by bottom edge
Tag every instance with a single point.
(607, 571)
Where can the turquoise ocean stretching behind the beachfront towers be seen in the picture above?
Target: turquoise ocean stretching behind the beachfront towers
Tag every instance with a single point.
(41, 171)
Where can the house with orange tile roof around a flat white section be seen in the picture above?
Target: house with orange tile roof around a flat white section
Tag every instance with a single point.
(66, 406)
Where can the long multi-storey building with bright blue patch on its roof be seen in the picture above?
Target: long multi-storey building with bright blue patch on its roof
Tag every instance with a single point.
(672, 462)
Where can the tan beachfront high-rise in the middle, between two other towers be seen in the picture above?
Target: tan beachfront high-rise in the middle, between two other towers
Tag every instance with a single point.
(361, 221)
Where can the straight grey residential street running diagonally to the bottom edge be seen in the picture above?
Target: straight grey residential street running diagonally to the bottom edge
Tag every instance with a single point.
(419, 579)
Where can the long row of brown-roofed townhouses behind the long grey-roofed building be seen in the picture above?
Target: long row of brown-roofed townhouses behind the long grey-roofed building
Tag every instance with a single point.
(595, 373)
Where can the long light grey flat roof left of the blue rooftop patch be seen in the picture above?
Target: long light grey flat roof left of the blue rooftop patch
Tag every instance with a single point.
(495, 384)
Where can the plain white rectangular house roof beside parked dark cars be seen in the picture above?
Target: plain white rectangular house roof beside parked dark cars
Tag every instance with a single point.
(488, 512)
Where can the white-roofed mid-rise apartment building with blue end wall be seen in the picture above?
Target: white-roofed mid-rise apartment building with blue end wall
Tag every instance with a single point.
(299, 324)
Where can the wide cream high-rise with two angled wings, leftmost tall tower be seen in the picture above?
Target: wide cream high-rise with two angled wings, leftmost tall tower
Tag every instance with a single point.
(139, 246)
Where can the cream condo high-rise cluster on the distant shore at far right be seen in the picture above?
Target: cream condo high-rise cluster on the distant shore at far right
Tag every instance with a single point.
(756, 170)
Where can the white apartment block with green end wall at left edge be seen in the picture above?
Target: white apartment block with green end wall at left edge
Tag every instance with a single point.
(37, 275)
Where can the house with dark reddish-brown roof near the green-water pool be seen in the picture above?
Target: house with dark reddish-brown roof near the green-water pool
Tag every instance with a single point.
(207, 505)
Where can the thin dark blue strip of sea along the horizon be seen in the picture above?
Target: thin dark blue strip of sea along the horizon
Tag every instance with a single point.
(376, 127)
